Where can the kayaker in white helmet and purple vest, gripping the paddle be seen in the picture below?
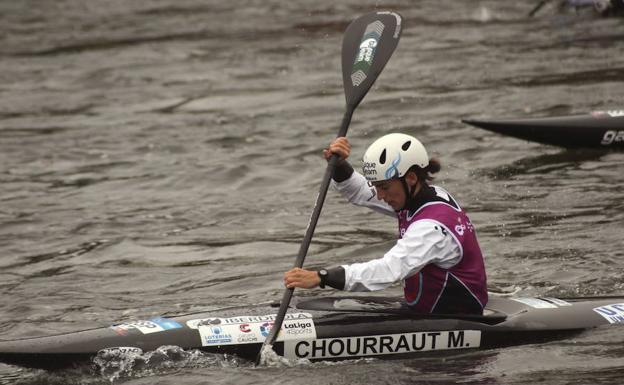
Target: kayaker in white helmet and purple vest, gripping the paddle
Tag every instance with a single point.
(437, 255)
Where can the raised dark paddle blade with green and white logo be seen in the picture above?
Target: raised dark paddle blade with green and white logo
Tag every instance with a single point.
(368, 43)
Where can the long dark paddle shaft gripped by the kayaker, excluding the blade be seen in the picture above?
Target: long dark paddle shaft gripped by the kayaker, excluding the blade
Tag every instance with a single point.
(305, 244)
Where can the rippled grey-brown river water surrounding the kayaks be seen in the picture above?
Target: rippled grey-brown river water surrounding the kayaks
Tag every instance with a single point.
(164, 157)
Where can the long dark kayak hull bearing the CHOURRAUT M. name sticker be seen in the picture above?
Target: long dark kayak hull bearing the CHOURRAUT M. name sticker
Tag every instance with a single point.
(326, 329)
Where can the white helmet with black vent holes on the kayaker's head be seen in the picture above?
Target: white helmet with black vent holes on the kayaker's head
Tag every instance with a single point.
(392, 155)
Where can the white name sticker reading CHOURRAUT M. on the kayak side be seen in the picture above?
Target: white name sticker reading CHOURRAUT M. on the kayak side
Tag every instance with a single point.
(362, 346)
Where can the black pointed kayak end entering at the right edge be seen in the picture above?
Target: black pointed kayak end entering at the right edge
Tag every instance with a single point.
(595, 130)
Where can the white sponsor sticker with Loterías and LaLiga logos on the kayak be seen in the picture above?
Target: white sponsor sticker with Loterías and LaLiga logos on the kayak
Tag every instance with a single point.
(252, 329)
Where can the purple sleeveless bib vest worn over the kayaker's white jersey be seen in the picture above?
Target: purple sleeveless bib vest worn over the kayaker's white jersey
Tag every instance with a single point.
(463, 287)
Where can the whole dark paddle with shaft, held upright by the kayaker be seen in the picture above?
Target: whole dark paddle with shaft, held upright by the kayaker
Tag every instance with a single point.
(368, 43)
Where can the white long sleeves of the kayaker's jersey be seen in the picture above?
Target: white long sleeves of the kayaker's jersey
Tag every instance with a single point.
(424, 242)
